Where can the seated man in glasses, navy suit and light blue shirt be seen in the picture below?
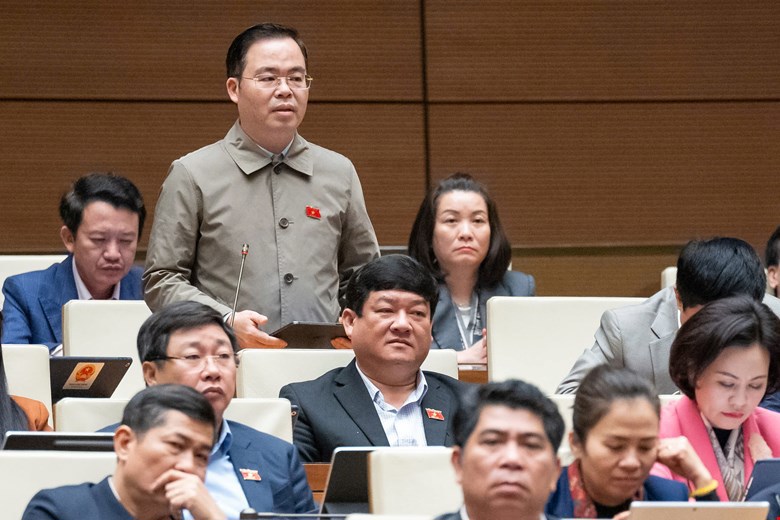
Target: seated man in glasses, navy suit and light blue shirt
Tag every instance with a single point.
(189, 343)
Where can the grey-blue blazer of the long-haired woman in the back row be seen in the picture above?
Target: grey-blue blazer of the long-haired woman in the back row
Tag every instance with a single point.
(445, 325)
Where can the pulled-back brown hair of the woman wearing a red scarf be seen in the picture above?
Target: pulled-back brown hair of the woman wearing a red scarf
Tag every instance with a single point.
(601, 387)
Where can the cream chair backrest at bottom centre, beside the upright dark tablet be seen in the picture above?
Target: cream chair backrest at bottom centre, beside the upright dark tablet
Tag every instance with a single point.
(408, 481)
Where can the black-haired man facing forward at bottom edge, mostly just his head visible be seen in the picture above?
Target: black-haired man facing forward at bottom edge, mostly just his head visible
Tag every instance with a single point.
(507, 437)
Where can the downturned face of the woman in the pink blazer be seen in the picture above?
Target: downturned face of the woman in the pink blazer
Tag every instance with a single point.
(730, 388)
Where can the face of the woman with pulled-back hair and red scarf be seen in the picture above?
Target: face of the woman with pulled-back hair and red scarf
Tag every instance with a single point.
(619, 451)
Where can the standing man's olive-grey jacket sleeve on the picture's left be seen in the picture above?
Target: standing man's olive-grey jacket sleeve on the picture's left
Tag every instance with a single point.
(173, 244)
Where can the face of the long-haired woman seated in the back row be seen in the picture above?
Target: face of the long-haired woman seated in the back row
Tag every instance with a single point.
(461, 235)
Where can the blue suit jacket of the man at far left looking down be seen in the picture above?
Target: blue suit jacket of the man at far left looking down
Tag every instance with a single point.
(32, 312)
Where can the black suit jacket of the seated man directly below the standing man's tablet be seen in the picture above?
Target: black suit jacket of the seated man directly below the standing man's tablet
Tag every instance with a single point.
(336, 410)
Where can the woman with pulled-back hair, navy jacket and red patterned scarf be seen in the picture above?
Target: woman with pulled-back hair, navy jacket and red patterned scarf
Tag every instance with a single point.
(615, 443)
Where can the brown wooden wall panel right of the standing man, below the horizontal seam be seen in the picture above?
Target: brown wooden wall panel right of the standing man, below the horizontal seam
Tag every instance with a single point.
(618, 174)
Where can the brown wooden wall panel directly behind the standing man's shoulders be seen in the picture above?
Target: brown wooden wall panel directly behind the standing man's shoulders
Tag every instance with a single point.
(45, 145)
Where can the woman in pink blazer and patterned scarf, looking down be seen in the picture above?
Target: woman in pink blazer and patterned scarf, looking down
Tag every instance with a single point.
(724, 359)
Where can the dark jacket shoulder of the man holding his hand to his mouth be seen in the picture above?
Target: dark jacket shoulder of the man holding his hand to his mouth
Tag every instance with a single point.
(76, 503)
